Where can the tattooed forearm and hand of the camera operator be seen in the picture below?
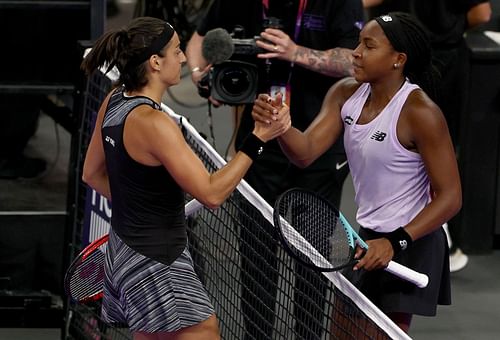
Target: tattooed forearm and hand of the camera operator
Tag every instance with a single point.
(335, 62)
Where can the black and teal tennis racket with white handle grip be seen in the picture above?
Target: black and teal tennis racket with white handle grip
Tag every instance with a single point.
(316, 234)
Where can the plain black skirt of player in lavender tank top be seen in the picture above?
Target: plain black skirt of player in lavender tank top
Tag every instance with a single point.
(428, 255)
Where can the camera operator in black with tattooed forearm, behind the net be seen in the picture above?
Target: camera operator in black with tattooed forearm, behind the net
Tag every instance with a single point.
(301, 60)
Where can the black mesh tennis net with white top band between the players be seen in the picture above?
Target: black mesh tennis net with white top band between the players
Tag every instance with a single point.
(258, 291)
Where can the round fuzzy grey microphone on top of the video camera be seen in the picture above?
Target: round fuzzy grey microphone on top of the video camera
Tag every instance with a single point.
(217, 46)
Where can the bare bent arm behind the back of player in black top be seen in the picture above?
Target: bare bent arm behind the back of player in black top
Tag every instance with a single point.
(94, 168)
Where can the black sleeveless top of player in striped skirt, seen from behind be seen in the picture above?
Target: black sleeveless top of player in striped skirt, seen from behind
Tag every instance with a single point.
(148, 205)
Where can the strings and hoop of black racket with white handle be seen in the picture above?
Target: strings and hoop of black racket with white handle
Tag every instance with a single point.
(314, 231)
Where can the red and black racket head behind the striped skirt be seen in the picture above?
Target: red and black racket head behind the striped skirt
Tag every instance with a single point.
(84, 278)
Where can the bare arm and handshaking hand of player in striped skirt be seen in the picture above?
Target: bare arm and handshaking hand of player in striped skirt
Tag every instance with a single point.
(153, 138)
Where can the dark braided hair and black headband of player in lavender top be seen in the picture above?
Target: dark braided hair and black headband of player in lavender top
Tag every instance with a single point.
(407, 35)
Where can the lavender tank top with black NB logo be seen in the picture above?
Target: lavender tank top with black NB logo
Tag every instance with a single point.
(390, 182)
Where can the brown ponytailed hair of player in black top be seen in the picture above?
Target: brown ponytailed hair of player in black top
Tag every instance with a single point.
(128, 49)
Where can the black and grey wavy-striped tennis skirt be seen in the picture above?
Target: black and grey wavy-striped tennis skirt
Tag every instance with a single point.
(149, 296)
